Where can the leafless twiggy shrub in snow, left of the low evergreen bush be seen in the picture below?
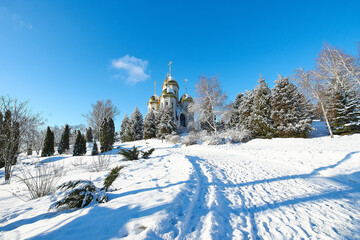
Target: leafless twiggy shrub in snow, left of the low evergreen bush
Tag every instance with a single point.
(42, 180)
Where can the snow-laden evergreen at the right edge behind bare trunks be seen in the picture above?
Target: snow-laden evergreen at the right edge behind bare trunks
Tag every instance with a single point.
(343, 107)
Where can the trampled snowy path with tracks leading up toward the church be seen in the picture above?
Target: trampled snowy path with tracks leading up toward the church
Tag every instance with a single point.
(242, 198)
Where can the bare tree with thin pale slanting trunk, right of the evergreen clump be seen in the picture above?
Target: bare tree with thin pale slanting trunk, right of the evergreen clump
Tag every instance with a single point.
(314, 88)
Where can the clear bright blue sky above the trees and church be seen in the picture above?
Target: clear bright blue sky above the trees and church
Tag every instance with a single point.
(63, 56)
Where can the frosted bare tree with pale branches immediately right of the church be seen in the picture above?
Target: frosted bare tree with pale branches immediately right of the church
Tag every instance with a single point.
(210, 102)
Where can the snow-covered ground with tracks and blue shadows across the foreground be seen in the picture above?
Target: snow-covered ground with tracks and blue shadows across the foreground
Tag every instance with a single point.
(264, 189)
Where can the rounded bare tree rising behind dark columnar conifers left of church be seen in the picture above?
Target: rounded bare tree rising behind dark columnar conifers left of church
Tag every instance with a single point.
(102, 109)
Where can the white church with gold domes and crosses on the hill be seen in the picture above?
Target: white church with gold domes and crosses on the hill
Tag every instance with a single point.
(170, 97)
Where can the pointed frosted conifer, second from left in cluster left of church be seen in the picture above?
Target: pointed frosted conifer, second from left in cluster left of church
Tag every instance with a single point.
(135, 128)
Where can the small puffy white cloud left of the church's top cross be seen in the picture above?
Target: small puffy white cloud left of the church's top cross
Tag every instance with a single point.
(134, 69)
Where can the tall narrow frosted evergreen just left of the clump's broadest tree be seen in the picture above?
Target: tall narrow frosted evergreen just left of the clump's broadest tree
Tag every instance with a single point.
(260, 117)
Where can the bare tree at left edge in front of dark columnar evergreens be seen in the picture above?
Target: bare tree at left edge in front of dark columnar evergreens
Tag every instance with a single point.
(19, 122)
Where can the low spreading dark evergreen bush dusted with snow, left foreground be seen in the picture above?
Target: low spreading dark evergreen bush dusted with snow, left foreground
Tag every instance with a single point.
(79, 194)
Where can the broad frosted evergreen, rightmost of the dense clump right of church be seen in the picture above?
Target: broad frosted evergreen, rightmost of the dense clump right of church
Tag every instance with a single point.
(290, 111)
